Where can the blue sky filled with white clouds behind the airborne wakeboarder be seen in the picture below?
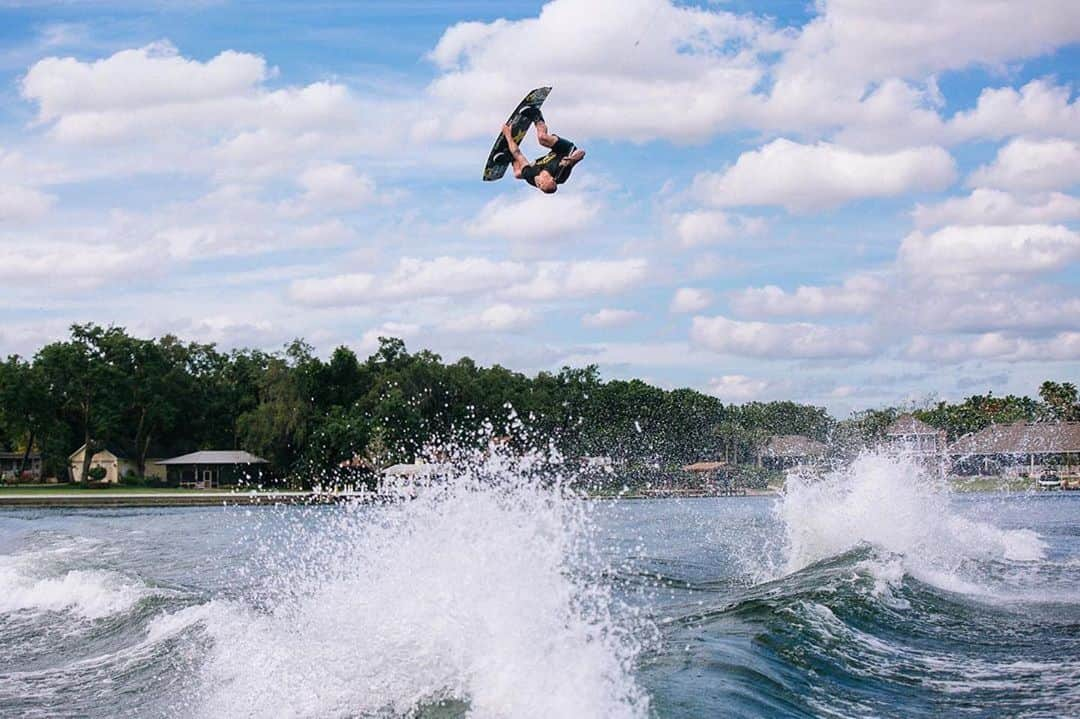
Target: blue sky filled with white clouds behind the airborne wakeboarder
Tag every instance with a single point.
(826, 202)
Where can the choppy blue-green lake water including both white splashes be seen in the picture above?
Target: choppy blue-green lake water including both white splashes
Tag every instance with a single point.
(874, 593)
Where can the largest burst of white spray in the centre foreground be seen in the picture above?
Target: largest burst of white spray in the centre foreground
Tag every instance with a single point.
(481, 591)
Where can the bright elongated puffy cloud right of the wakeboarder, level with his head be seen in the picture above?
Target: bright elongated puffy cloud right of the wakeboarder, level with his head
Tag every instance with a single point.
(808, 178)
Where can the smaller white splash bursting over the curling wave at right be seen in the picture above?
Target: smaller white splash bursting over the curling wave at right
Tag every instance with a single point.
(898, 508)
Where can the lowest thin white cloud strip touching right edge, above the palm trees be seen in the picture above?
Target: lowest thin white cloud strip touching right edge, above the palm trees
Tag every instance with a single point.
(996, 346)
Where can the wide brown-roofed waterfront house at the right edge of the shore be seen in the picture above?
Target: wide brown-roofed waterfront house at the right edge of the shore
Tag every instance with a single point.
(1020, 449)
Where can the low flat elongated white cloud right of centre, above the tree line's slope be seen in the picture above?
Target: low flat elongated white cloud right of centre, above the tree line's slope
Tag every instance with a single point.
(758, 340)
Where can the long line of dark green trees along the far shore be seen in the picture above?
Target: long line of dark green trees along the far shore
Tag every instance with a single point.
(306, 415)
